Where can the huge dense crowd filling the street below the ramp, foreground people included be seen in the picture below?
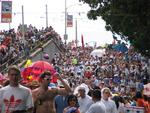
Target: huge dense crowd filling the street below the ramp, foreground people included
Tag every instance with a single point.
(111, 83)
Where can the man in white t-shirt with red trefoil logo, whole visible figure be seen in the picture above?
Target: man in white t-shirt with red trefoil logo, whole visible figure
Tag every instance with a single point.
(15, 98)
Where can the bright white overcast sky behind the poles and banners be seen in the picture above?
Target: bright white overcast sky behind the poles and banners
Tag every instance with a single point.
(34, 13)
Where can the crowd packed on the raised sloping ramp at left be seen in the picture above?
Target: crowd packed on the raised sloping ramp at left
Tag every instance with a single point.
(13, 46)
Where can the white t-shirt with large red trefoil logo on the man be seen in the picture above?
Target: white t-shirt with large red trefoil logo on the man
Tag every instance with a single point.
(15, 98)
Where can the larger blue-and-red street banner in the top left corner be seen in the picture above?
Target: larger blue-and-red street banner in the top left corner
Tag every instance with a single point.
(6, 11)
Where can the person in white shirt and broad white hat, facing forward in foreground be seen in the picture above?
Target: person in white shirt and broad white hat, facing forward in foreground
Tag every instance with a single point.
(85, 101)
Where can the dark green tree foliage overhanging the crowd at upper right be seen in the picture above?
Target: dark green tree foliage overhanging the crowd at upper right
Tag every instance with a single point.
(128, 18)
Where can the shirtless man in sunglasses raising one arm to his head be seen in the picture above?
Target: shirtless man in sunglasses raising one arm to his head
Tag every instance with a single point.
(44, 97)
